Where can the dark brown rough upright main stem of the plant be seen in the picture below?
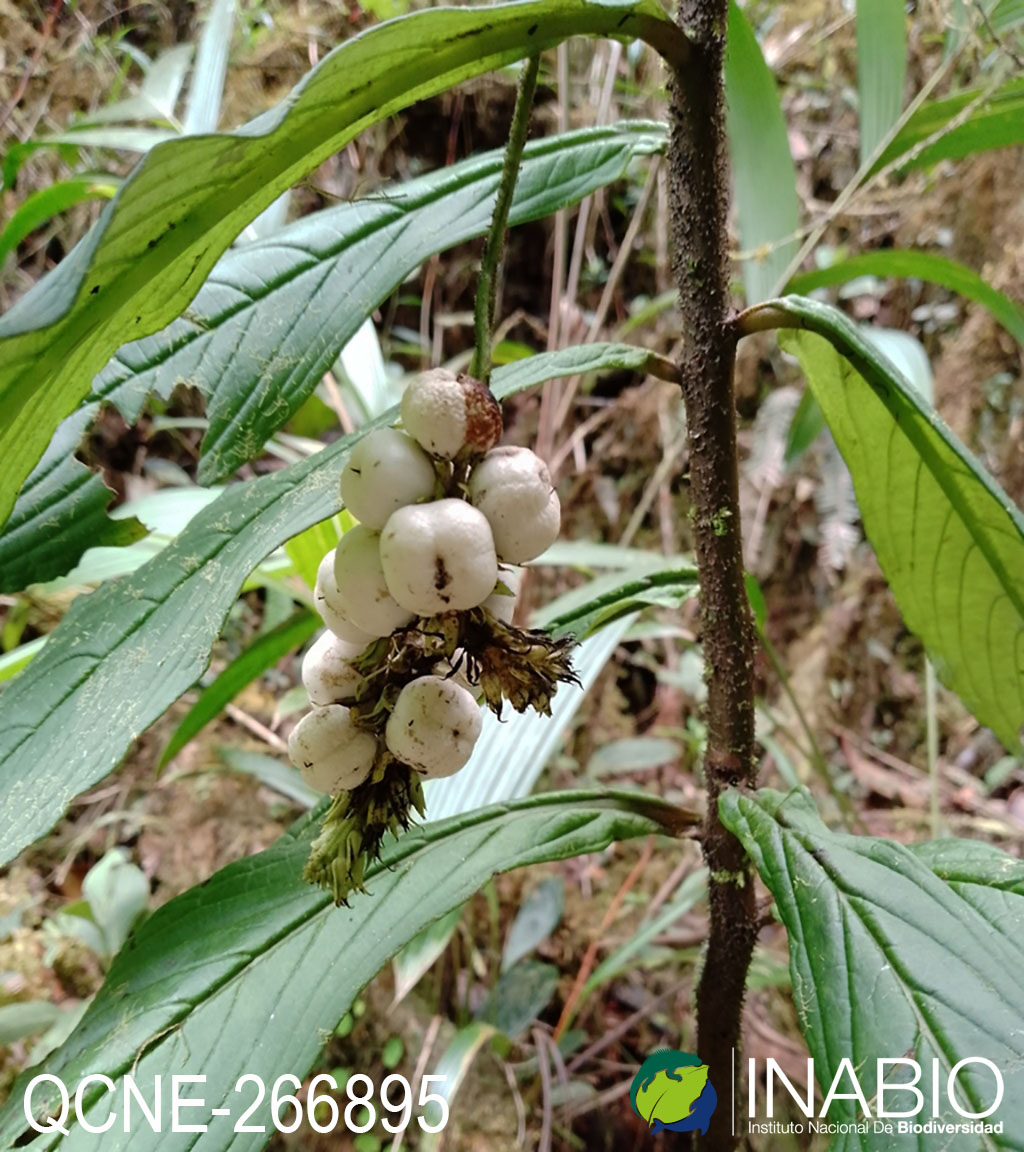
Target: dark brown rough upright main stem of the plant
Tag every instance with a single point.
(700, 198)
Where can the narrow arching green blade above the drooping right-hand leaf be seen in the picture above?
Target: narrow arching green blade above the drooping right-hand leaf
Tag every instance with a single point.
(936, 270)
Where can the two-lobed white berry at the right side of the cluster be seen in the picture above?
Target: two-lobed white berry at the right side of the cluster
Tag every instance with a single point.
(513, 489)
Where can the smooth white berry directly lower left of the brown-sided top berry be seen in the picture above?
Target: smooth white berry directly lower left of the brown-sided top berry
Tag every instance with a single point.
(386, 472)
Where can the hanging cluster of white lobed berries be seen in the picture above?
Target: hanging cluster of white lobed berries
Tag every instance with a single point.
(444, 517)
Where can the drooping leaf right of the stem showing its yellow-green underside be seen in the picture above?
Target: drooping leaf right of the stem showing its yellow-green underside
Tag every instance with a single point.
(950, 541)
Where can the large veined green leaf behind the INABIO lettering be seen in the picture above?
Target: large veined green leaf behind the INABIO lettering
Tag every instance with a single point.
(889, 960)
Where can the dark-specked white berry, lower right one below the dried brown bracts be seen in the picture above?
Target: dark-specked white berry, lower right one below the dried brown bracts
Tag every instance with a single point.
(434, 726)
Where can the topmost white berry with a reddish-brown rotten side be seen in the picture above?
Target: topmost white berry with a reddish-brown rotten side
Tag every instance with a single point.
(449, 415)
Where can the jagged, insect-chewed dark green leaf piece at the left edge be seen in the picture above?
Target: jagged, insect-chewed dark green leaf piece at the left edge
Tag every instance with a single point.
(62, 513)
